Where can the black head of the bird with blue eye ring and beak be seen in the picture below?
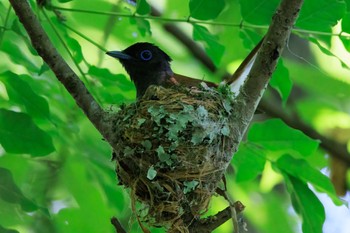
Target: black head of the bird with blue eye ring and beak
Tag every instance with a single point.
(146, 64)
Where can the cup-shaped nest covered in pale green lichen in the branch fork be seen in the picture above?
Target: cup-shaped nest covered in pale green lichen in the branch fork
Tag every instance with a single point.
(172, 148)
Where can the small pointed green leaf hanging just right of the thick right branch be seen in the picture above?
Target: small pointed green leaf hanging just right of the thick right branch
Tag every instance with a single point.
(281, 81)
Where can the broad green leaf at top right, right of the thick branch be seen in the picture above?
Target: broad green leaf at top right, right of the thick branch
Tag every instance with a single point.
(320, 15)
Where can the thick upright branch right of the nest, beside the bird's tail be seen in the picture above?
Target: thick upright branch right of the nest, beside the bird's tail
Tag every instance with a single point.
(268, 56)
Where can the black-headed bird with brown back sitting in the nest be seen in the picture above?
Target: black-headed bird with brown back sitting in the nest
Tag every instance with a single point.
(148, 65)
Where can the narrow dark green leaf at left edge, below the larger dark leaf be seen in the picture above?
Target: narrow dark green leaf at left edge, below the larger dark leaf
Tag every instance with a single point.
(10, 192)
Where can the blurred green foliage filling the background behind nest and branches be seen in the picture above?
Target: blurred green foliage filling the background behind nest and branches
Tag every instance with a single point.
(55, 169)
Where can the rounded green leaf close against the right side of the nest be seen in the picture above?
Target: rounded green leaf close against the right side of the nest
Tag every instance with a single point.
(249, 162)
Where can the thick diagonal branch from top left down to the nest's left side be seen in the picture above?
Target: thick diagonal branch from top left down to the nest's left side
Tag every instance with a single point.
(63, 72)
